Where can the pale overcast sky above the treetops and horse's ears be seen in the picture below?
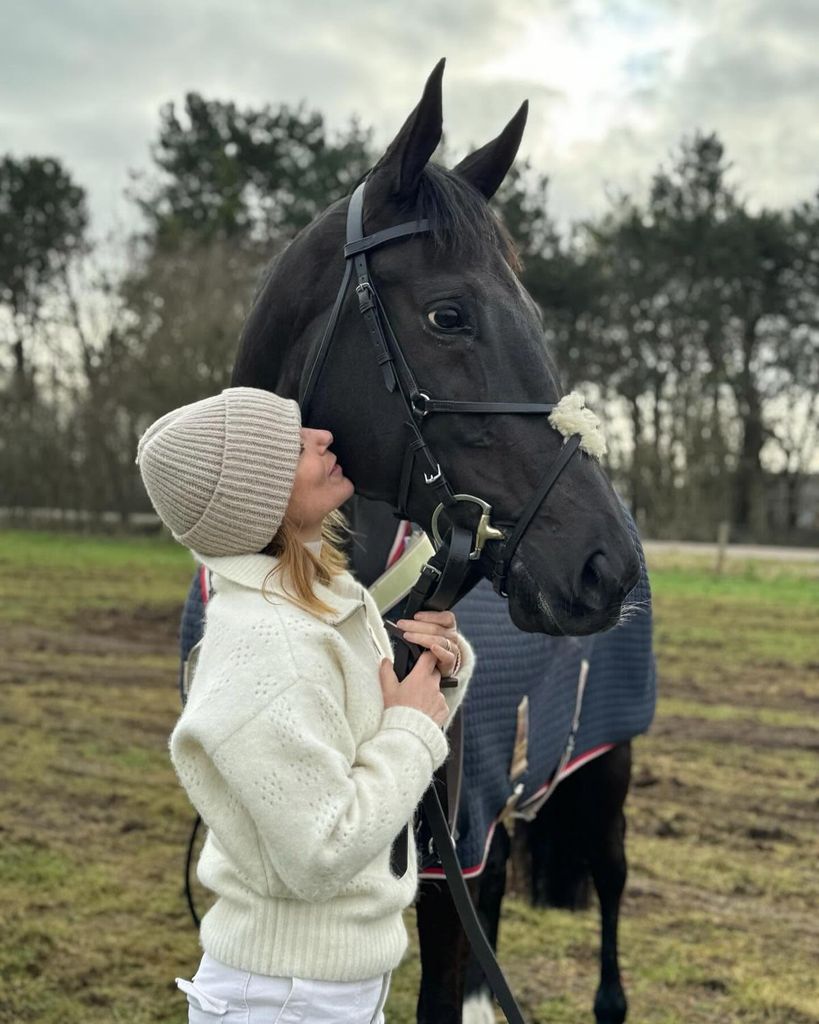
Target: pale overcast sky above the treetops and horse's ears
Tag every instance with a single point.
(614, 84)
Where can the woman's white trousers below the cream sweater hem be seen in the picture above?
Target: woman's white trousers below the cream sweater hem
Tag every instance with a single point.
(222, 995)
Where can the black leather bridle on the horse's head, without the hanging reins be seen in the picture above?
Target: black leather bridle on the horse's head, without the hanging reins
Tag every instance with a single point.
(462, 546)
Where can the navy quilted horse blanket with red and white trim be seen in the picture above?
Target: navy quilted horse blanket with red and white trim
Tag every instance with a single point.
(538, 707)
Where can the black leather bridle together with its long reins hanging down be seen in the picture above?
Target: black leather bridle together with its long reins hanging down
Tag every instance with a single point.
(450, 573)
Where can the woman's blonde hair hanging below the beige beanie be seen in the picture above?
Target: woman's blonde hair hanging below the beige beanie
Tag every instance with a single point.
(299, 569)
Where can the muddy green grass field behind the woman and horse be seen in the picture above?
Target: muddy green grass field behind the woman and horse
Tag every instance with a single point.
(721, 921)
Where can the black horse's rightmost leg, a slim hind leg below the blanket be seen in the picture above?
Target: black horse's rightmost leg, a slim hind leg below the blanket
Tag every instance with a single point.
(609, 867)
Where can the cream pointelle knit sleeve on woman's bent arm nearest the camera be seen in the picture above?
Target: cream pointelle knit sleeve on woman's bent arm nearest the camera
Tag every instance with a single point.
(323, 808)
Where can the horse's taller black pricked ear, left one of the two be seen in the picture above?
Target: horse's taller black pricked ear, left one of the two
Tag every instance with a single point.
(398, 174)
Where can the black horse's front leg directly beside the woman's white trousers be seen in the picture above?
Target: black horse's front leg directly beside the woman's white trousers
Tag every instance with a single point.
(445, 952)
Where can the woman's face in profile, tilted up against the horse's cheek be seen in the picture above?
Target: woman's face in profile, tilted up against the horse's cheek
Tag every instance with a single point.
(320, 485)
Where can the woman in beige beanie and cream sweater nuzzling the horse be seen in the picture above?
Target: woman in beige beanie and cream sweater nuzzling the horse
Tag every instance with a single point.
(298, 747)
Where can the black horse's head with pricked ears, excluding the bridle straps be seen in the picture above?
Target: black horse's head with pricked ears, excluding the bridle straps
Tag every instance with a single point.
(469, 332)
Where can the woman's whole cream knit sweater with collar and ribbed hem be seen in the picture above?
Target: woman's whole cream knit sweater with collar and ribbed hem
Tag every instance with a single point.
(303, 779)
